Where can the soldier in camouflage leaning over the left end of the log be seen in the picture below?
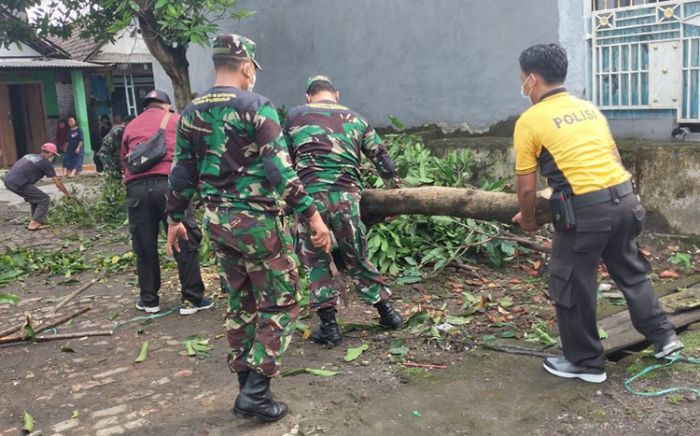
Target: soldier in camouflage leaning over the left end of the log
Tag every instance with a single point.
(326, 141)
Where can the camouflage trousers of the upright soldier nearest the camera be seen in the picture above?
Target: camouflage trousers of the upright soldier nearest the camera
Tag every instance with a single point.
(258, 269)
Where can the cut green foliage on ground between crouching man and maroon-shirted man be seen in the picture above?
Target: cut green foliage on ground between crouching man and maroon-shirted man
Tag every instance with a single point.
(86, 211)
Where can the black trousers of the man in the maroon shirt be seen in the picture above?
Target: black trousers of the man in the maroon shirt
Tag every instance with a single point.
(145, 199)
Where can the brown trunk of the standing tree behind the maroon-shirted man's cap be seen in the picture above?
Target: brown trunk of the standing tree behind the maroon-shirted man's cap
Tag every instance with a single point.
(172, 59)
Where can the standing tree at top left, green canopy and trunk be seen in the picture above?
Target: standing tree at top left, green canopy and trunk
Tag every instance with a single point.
(168, 27)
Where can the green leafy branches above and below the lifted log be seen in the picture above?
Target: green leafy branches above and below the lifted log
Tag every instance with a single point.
(409, 243)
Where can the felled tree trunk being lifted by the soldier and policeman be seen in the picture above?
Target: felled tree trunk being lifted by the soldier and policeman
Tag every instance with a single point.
(377, 204)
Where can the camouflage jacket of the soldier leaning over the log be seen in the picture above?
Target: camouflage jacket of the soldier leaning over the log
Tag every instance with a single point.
(326, 141)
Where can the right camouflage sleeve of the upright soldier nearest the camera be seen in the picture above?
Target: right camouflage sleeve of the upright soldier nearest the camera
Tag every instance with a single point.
(278, 164)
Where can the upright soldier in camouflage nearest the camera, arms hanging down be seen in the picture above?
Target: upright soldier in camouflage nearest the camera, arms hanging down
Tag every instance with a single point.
(231, 149)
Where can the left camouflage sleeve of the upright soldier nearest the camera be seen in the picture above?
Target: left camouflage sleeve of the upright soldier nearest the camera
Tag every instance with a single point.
(182, 181)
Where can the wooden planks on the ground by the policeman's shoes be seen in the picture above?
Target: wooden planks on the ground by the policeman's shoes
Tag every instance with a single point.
(621, 333)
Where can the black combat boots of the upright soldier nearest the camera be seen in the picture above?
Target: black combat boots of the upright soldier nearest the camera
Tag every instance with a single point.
(255, 400)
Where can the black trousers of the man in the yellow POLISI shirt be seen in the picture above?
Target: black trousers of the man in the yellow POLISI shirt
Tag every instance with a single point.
(608, 231)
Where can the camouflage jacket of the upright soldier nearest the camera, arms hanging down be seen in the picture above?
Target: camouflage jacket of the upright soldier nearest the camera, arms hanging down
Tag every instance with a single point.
(231, 149)
